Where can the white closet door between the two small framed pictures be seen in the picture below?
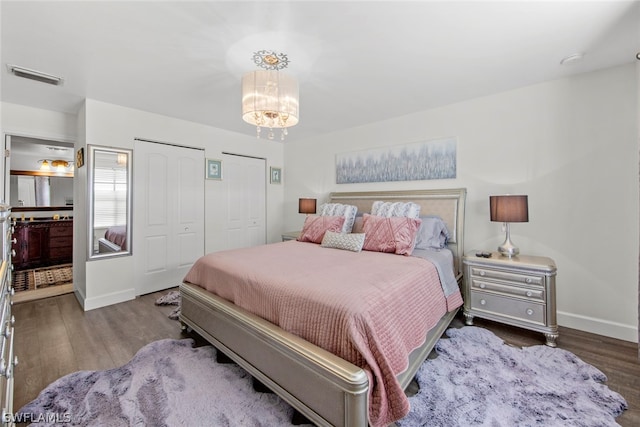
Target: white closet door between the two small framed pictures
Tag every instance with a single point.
(245, 187)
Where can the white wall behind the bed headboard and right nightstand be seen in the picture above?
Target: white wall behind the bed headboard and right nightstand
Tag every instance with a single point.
(570, 144)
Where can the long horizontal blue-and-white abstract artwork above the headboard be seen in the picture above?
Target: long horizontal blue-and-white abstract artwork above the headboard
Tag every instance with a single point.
(434, 159)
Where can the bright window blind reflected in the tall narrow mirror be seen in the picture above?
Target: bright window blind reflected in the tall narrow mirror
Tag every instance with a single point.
(110, 196)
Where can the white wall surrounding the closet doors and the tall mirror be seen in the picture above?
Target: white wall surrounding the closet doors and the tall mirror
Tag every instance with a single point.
(111, 280)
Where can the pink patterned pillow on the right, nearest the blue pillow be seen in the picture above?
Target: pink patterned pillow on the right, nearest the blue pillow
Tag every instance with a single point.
(390, 234)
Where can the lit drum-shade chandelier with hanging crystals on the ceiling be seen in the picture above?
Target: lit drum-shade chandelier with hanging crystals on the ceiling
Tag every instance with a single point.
(270, 97)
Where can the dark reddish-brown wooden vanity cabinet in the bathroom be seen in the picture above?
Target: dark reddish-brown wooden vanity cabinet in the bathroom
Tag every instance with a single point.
(41, 243)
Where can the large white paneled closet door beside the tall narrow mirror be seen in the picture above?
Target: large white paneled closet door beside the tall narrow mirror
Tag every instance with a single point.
(168, 213)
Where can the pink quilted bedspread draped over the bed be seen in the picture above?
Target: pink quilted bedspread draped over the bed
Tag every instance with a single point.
(369, 308)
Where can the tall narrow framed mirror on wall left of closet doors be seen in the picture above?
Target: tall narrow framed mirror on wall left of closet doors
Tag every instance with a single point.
(109, 185)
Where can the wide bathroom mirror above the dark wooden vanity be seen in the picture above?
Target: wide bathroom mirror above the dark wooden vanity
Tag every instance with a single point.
(37, 190)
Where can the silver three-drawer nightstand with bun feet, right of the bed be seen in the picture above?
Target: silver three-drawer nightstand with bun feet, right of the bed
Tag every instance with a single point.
(519, 291)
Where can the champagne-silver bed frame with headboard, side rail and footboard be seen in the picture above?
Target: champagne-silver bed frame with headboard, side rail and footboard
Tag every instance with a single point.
(325, 388)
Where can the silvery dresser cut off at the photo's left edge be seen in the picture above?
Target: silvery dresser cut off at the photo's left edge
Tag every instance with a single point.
(8, 359)
